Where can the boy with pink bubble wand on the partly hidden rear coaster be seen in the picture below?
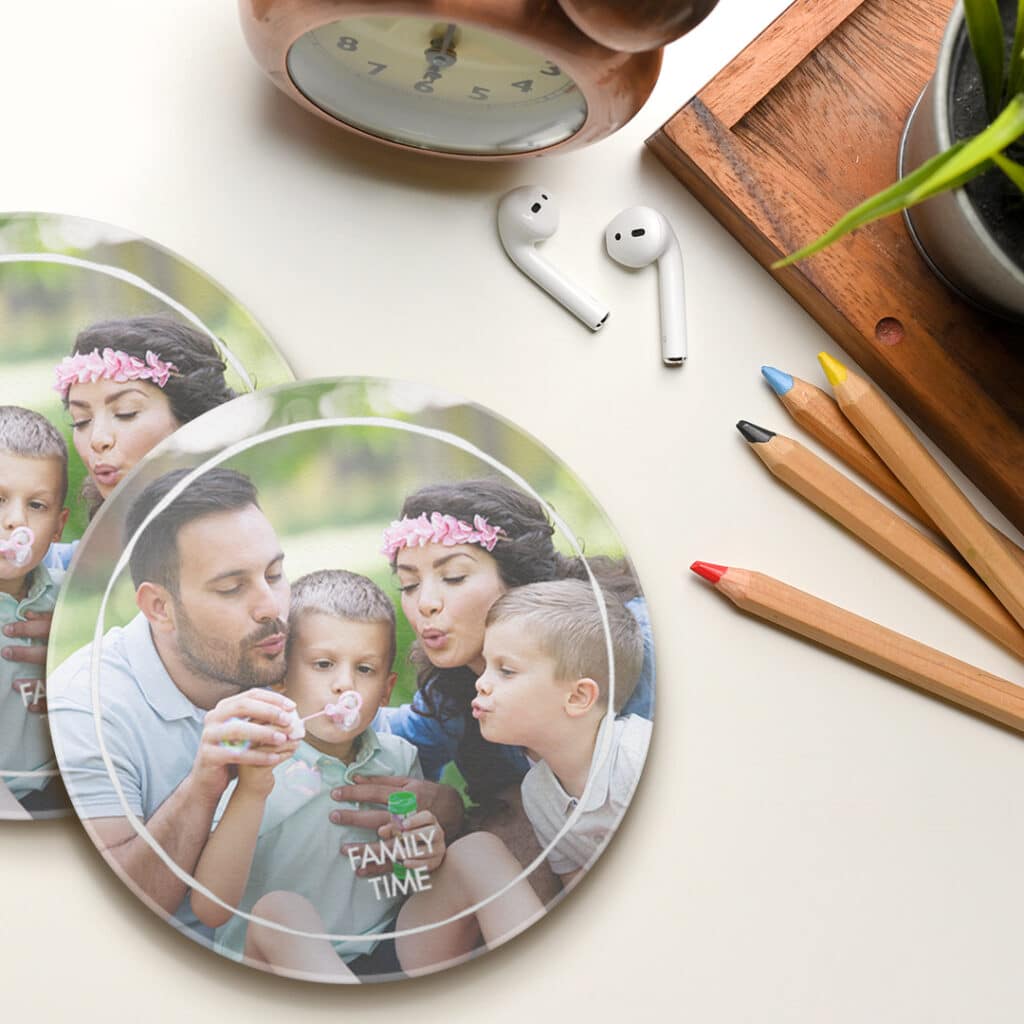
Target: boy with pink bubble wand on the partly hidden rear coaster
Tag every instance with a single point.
(33, 490)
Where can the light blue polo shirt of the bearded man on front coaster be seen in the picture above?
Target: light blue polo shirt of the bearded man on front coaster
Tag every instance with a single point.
(151, 730)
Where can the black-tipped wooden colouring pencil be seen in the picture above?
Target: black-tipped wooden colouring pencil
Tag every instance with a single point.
(890, 535)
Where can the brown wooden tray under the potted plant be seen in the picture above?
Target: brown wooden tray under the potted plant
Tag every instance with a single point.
(799, 129)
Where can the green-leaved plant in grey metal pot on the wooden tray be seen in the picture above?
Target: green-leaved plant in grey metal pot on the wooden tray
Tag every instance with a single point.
(965, 138)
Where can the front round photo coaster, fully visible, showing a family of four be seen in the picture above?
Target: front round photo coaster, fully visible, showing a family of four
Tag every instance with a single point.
(351, 682)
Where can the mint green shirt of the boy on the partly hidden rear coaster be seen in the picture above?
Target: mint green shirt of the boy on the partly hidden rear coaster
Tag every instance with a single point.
(27, 761)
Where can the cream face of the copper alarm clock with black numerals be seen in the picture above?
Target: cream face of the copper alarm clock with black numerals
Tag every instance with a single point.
(439, 87)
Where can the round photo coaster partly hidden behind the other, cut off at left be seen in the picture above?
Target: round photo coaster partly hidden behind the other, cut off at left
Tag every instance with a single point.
(109, 343)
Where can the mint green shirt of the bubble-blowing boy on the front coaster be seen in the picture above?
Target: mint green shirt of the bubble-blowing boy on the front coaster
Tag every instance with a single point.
(300, 850)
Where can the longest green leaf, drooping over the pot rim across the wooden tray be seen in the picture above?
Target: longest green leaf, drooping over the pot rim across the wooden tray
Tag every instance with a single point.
(952, 169)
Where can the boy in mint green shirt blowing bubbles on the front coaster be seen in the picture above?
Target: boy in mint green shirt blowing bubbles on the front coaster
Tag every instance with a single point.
(273, 855)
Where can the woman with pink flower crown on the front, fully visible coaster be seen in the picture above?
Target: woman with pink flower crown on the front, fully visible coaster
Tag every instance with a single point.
(456, 550)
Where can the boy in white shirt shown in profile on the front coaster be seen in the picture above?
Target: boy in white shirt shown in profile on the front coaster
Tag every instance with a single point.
(547, 688)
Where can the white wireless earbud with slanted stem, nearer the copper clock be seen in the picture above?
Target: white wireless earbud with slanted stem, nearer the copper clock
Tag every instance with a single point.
(529, 216)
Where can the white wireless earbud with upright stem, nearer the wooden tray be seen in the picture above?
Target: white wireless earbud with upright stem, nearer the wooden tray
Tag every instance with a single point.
(638, 237)
